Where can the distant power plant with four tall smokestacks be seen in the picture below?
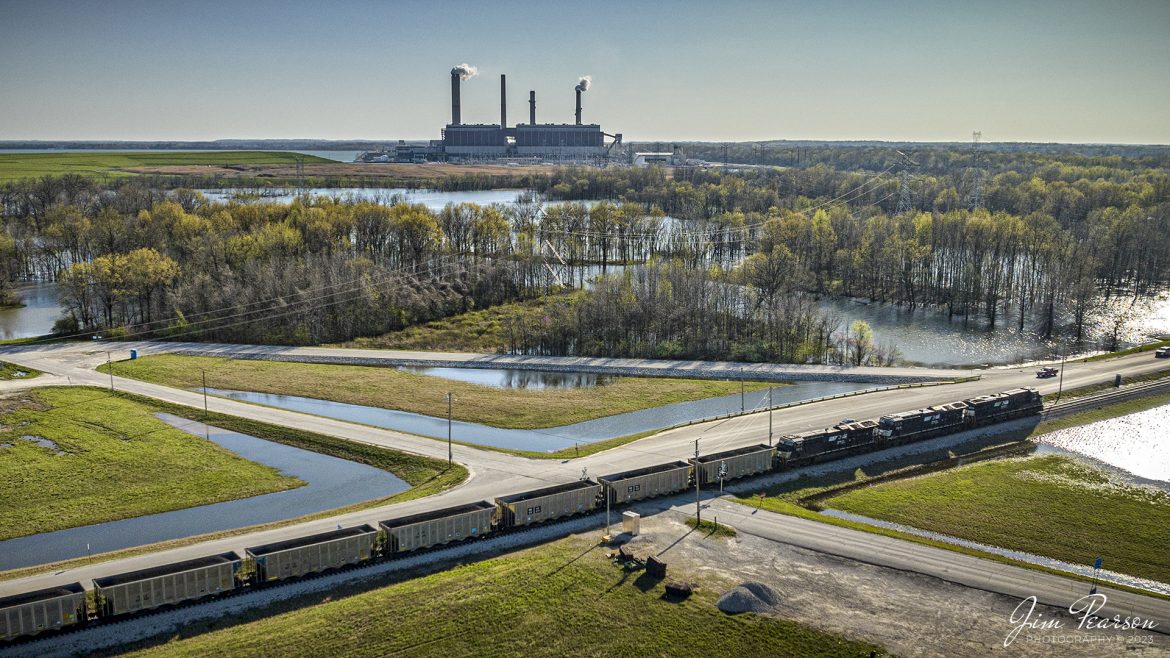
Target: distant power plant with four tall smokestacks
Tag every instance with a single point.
(577, 142)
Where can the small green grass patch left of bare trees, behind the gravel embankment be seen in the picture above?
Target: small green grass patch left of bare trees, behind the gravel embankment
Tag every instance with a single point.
(477, 332)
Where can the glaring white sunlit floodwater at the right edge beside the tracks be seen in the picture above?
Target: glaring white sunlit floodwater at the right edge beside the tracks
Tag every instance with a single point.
(1139, 444)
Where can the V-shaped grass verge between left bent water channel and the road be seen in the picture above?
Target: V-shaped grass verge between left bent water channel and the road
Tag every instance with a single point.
(426, 477)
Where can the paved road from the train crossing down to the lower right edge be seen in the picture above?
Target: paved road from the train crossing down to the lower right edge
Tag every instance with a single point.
(920, 559)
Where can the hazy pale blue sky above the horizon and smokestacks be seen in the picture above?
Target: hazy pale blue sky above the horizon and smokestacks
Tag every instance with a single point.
(720, 71)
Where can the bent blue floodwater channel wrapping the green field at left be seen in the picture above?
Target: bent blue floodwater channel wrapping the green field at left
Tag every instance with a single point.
(332, 483)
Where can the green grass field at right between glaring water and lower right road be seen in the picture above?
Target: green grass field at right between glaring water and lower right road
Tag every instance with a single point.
(1049, 506)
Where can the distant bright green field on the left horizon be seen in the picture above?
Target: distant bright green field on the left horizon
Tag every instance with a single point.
(15, 167)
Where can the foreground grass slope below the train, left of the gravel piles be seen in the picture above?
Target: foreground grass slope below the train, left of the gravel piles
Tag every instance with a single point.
(565, 599)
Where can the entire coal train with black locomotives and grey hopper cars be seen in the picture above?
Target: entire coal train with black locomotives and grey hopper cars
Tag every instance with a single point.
(123, 595)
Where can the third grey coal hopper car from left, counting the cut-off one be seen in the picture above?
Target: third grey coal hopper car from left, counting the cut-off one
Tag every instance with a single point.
(313, 554)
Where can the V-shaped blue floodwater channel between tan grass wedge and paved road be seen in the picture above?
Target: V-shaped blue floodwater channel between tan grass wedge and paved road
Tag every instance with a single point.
(553, 438)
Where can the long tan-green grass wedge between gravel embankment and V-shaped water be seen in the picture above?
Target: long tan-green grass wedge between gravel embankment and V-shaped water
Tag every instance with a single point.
(395, 389)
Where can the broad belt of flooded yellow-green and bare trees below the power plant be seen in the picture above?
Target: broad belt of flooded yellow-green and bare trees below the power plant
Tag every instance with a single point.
(711, 264)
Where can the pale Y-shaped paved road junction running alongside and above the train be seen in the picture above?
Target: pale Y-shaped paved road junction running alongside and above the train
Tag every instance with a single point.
(493, 474)
